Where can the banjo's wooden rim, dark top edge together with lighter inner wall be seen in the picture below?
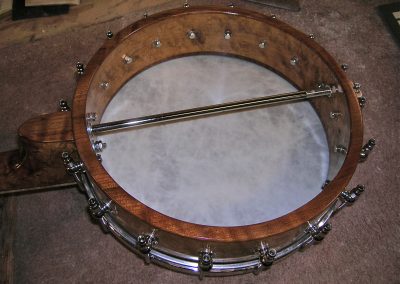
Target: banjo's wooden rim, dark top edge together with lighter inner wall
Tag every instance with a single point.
(248, 29)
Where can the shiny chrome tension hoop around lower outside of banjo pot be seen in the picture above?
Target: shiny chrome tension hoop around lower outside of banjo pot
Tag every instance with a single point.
(191, 263)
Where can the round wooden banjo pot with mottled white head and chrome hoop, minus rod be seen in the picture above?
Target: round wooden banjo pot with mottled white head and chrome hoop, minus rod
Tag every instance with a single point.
(223, 194)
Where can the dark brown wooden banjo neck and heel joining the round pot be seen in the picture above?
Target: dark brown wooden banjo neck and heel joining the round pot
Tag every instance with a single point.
(37, 164)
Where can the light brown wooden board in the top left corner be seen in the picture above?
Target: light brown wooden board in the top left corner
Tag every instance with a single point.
(88, 13)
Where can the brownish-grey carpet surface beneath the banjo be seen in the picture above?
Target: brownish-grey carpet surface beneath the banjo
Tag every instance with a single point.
(56, 242)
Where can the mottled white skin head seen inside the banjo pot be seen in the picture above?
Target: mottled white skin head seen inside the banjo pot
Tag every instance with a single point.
(233, 169)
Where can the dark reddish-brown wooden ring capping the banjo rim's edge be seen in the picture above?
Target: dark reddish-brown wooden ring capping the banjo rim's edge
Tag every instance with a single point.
(221, 234)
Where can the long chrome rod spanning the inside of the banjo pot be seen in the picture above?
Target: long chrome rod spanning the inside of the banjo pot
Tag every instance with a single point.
(208, 110)
